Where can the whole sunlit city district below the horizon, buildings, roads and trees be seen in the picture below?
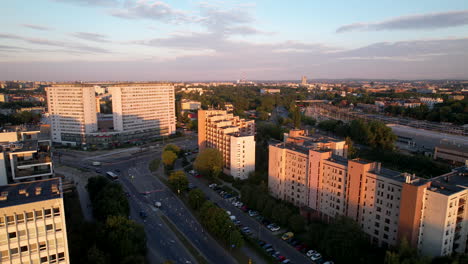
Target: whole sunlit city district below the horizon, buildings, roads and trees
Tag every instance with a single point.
(328, 171)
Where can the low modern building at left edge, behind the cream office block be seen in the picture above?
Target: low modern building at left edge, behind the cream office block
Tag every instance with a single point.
(25, 155)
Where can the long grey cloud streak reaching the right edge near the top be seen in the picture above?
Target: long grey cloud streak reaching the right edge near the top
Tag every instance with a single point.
(412, 22)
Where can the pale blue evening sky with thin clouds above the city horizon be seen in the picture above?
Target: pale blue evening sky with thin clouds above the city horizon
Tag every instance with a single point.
(186, 40)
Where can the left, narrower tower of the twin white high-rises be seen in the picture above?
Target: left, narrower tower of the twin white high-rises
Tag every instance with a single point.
(72, 112)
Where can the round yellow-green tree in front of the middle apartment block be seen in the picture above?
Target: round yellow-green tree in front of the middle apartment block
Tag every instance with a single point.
(209, 162)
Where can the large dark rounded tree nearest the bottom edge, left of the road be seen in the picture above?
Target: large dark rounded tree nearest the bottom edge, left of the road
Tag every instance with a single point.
(123, 237)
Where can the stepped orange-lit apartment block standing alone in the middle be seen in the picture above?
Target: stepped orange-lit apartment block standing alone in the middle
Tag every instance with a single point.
(232, 136)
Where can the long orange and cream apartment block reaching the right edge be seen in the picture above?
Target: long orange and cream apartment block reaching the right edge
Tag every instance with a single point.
(313, 173)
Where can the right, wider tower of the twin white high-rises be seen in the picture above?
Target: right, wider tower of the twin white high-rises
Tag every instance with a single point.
(140, 107)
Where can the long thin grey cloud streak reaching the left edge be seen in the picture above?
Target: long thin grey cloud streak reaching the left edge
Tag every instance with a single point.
(61, 44)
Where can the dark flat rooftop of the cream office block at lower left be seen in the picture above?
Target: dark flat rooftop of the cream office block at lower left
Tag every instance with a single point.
(30, 192)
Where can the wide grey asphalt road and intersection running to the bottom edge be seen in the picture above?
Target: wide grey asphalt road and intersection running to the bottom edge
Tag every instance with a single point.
(137, 180)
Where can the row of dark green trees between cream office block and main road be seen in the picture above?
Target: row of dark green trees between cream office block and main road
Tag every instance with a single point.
(114, 237)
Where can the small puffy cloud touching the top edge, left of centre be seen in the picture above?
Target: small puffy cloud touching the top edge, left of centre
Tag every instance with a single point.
(154, 10)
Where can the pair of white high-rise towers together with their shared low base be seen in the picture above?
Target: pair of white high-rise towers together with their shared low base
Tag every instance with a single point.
(141, 111)
